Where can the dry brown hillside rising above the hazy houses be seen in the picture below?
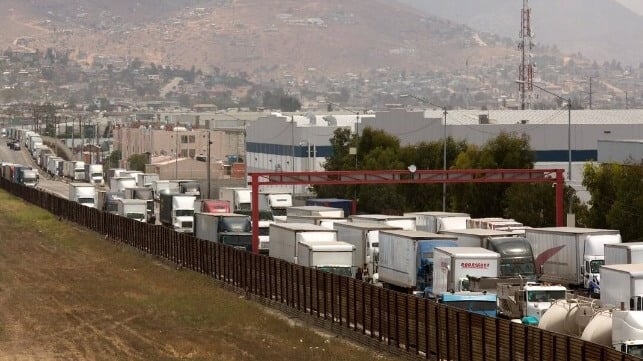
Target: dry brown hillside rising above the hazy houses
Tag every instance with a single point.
(264, 38)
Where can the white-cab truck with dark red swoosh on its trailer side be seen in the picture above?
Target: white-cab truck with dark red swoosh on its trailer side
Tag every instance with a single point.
(570, 256)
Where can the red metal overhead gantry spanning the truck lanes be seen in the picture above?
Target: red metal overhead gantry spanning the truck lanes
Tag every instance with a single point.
(404, 177)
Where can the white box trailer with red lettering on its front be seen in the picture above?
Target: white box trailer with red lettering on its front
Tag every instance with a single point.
(452, 265)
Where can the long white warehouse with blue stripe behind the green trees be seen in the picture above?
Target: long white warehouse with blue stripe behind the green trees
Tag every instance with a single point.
(301, 143)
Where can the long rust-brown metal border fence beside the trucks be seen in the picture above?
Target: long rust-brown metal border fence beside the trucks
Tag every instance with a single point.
(405, 325)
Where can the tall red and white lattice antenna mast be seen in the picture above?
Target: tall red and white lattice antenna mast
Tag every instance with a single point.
(526, 68)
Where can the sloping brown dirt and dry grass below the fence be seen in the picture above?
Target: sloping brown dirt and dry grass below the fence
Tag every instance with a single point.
(69, 294)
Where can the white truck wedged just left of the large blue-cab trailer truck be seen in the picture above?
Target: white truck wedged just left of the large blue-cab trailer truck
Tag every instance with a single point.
(365, 238)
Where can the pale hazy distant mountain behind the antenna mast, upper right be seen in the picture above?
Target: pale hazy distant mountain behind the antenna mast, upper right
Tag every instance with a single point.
(600, 29)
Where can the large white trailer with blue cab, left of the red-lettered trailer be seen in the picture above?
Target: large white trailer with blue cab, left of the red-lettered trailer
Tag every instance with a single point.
(406, 259)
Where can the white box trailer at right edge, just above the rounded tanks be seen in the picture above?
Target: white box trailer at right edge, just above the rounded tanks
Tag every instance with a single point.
(622, 282)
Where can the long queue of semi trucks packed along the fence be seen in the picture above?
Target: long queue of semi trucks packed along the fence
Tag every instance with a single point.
(492, 266)
